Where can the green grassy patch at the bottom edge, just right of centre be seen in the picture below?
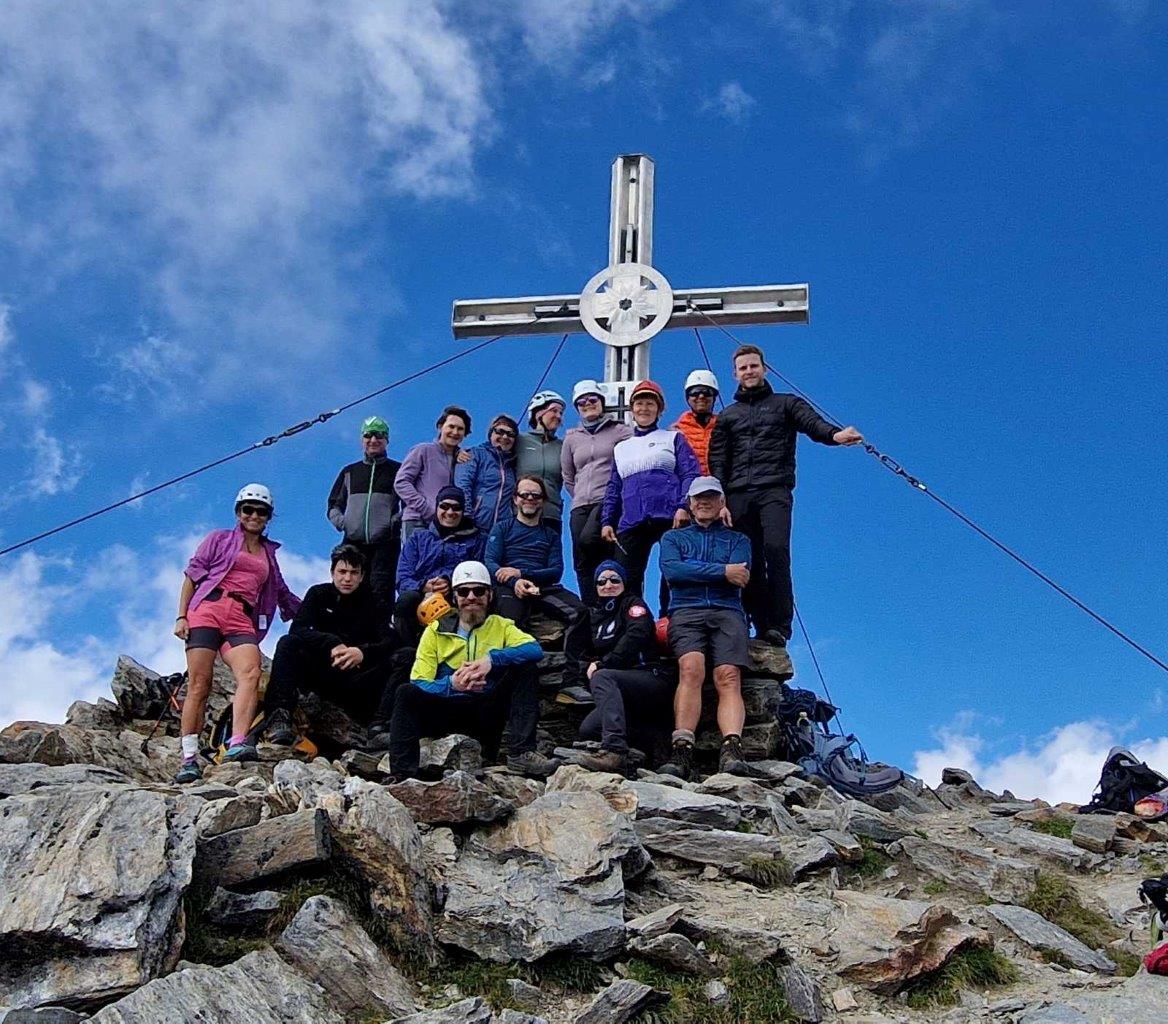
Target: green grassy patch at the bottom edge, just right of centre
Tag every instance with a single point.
(756, 995)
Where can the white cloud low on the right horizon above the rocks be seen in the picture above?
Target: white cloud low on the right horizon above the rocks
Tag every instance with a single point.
(1065, 765)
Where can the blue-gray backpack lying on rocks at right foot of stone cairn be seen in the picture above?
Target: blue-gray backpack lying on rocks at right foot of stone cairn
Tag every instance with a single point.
(809, 743)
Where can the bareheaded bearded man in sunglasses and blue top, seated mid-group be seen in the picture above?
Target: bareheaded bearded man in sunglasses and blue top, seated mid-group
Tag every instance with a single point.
(526, 560)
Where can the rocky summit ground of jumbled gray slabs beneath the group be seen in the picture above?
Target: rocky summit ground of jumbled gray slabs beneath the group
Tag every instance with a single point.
(317, 891)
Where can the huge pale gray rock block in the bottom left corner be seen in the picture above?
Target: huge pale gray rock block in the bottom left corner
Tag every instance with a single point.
(91, 905)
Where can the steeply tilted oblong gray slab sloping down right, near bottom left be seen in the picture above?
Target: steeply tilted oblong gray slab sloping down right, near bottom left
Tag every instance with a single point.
(326, 944)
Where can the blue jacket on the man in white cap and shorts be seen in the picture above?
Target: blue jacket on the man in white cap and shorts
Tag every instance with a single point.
(694, 561)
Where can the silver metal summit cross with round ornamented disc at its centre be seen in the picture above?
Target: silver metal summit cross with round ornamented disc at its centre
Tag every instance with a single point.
(629, 303)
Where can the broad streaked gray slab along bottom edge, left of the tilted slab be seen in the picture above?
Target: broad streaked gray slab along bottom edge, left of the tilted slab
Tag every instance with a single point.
(259, 988)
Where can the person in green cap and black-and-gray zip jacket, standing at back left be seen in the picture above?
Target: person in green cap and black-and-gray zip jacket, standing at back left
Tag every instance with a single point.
(366, 510)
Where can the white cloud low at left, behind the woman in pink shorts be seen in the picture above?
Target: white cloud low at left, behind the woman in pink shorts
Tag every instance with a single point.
(41, 598)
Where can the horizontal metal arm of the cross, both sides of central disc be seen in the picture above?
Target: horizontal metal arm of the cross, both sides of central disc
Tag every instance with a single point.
(561, 315)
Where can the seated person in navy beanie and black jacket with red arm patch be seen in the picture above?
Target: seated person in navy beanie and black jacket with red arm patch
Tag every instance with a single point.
(614, 647)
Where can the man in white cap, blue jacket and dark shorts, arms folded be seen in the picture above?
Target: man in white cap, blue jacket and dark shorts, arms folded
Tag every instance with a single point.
(707, 566)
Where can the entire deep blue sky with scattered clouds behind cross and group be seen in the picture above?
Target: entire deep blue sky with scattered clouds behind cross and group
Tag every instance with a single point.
(219, 220)
